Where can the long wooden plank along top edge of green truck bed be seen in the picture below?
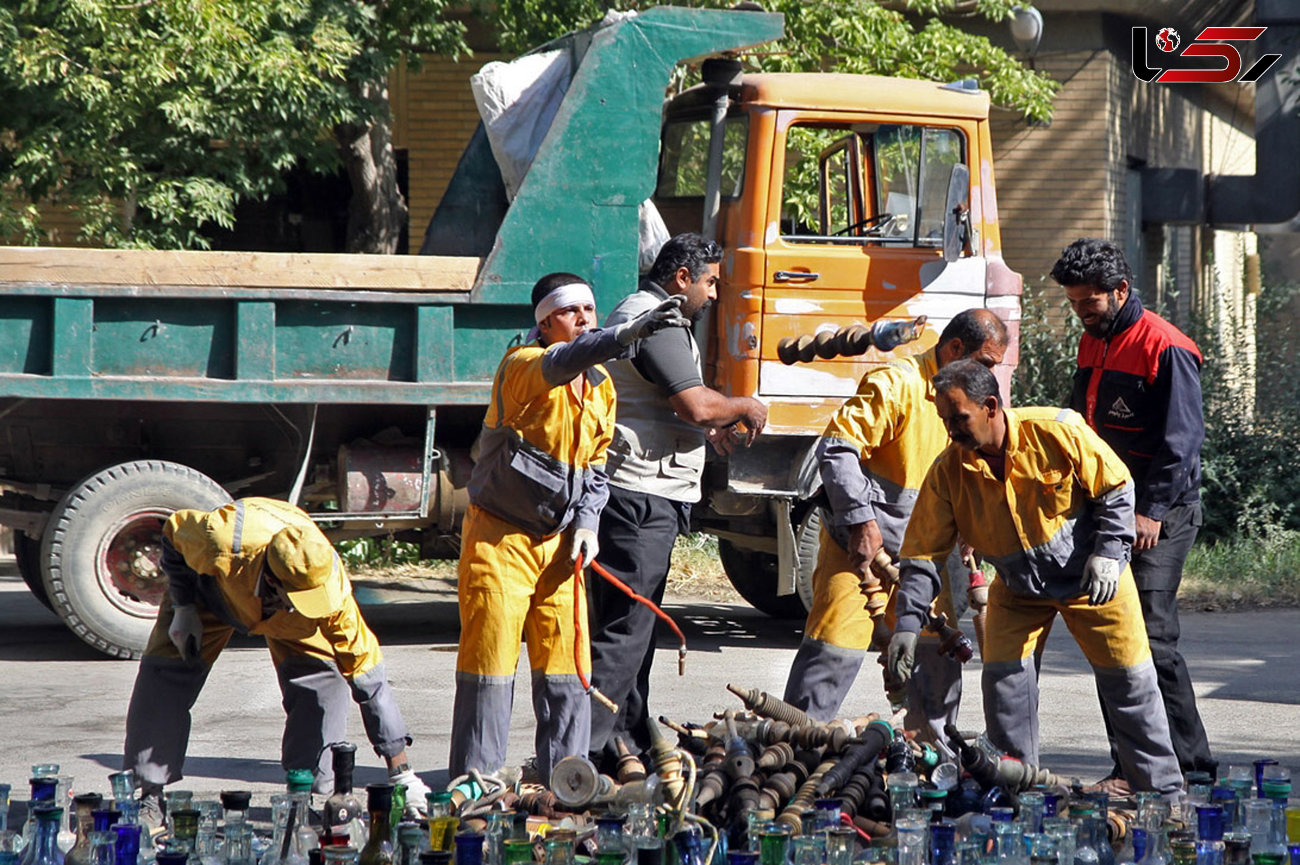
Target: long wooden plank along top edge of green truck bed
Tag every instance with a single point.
(71, 266)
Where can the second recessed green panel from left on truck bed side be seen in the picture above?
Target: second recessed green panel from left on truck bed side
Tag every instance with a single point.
(181, 338)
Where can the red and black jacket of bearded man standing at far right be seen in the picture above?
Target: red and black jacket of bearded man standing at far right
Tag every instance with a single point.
(1141, 390)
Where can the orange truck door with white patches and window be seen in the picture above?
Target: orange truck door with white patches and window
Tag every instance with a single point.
(856, 235)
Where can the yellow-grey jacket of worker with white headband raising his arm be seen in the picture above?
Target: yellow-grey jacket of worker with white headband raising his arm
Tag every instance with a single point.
(540, 462)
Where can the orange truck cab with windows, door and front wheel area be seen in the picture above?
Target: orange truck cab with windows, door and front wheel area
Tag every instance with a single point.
(835, 197)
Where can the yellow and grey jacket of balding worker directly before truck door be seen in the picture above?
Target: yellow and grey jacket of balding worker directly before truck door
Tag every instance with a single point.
(878, 447)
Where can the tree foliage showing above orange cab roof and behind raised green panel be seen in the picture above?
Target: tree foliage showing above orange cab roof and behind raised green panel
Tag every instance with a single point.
(904, 38)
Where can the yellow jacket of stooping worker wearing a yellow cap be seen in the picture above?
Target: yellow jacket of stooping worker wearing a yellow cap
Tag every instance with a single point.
(224, 552)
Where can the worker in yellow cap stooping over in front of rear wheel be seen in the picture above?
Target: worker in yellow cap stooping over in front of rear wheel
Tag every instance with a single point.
(262, 566)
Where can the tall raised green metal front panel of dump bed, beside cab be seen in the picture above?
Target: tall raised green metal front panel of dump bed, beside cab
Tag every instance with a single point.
(577, 209)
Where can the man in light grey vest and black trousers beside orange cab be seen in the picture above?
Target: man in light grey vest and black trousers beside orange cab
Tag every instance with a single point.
(657, 457)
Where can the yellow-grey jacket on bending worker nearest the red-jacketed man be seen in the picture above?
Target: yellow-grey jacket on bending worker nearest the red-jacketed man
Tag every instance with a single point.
(1065, 496)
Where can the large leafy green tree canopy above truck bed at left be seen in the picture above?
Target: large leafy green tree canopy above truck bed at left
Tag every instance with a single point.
(153, 119)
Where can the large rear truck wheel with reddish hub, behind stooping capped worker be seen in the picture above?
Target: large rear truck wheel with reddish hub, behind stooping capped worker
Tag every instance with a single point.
(103, 546)
